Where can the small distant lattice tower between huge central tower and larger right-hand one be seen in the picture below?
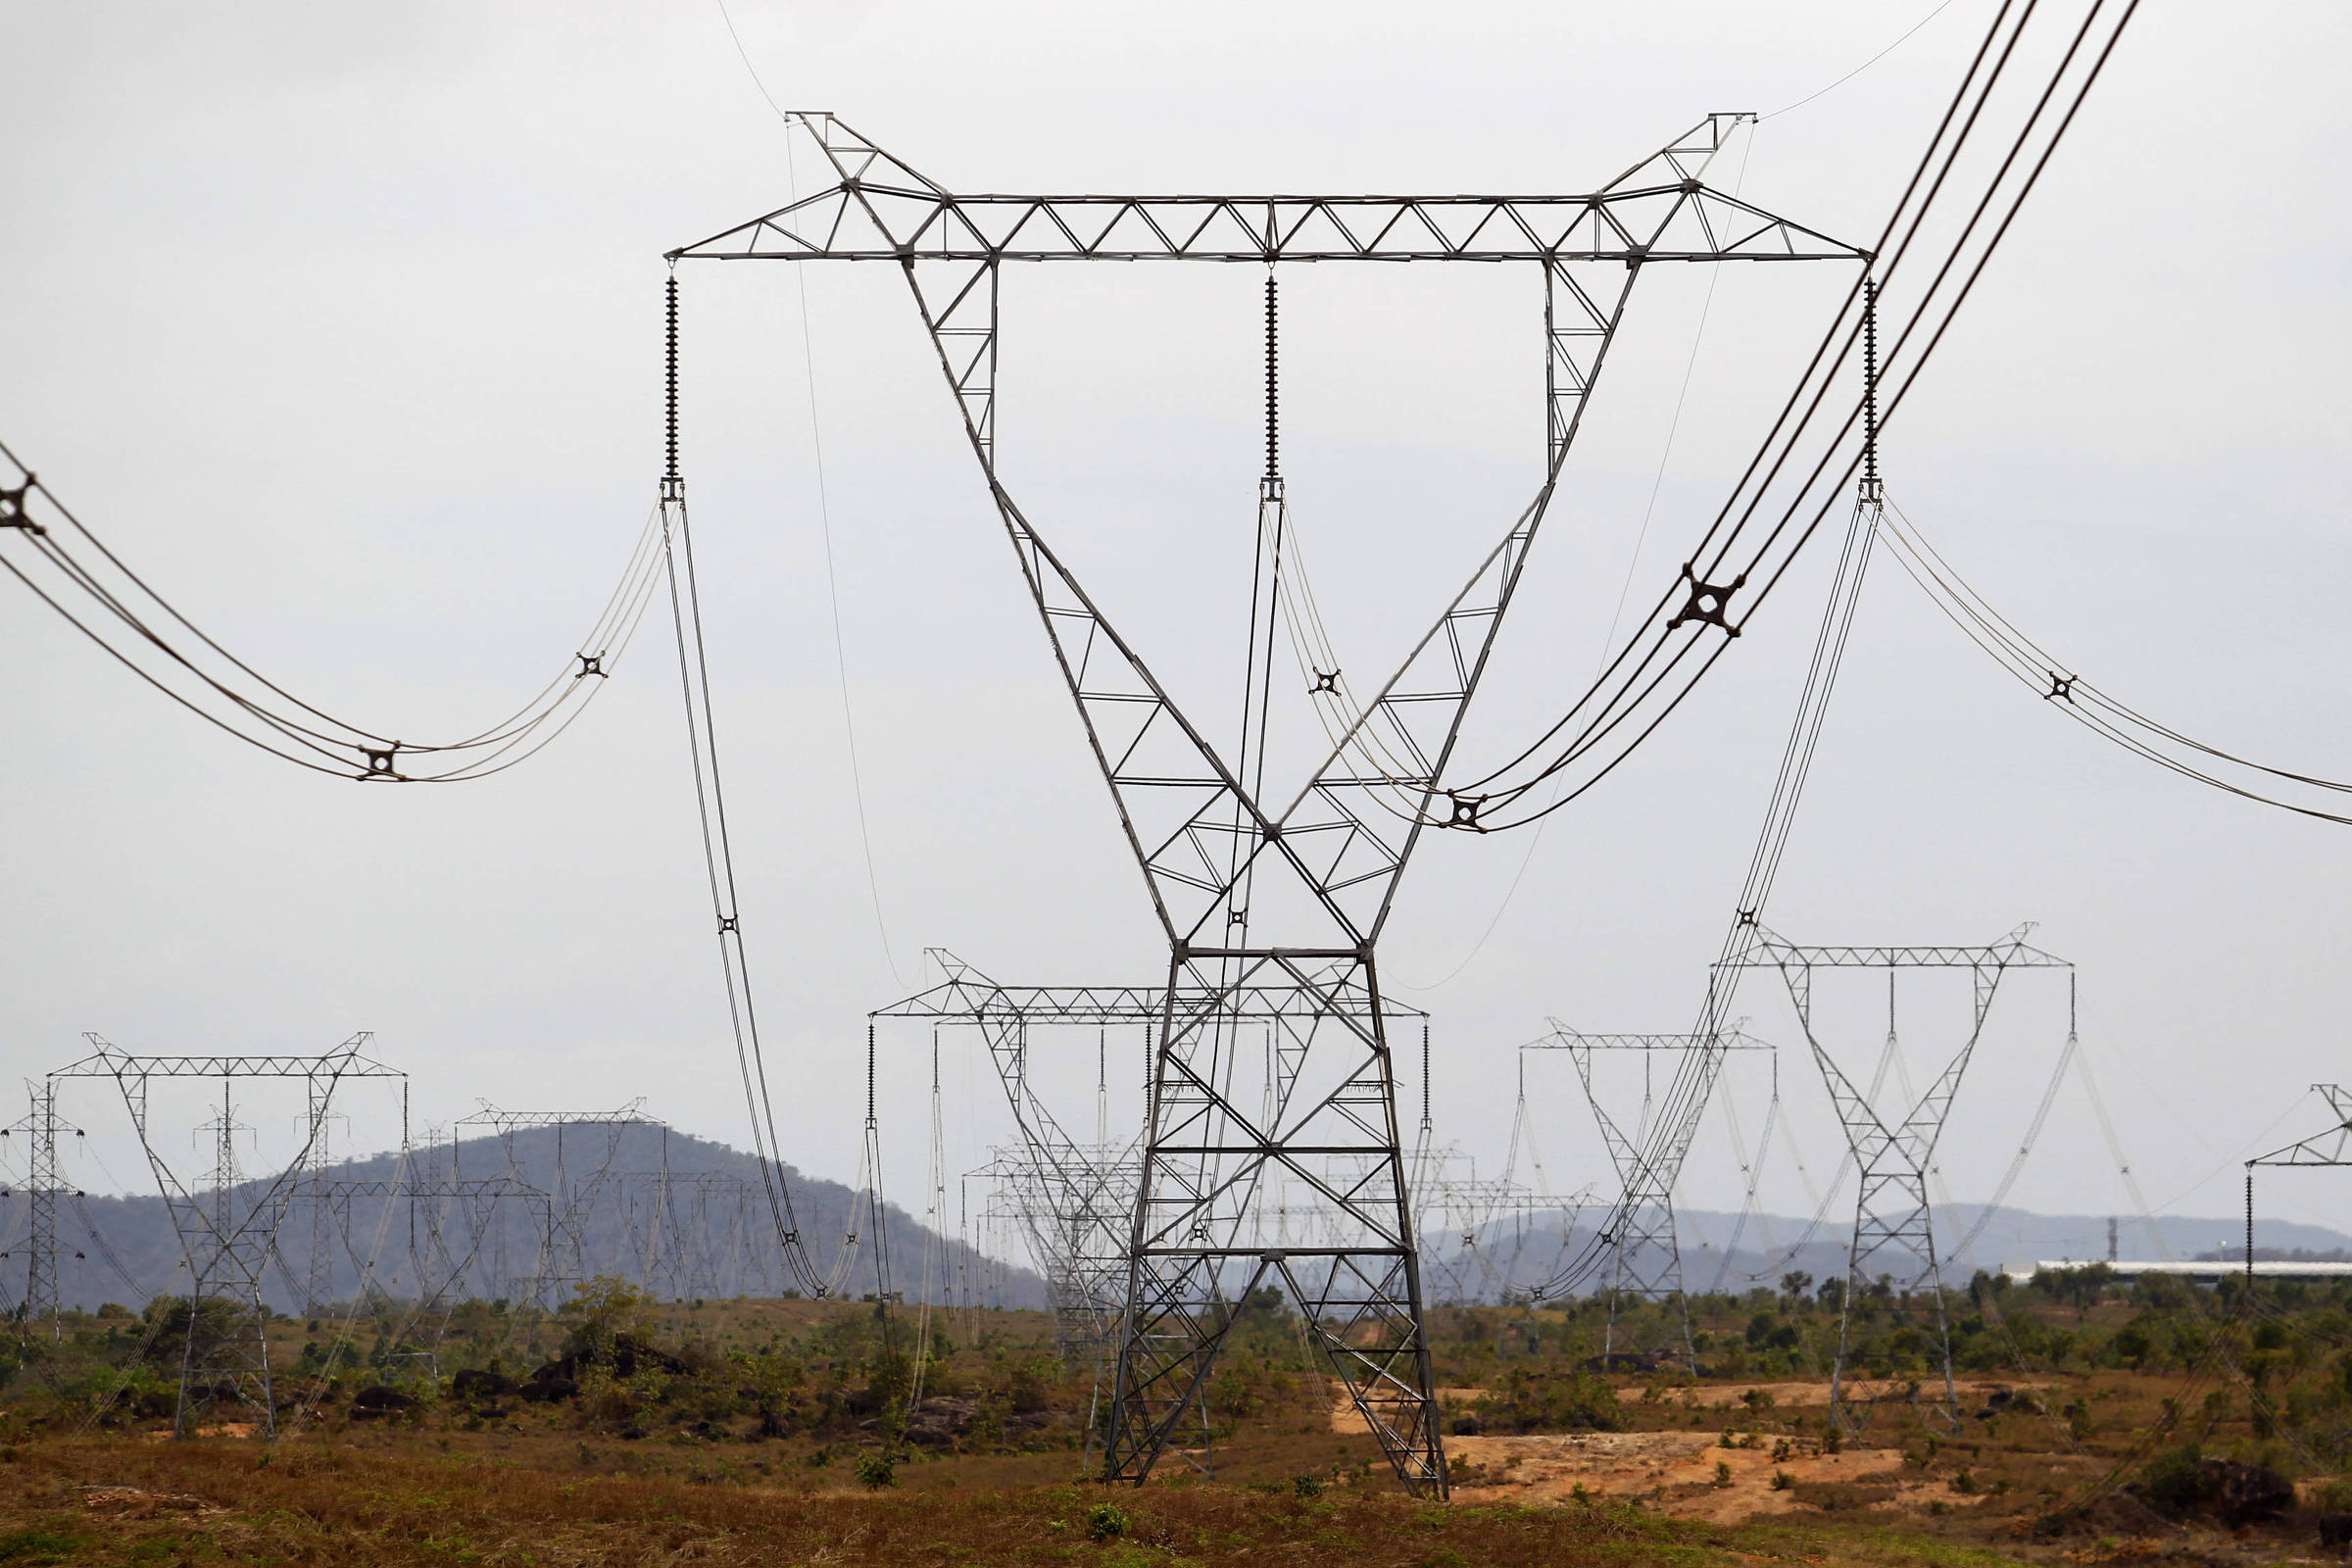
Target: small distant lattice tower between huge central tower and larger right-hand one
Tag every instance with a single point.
(1645, 1249)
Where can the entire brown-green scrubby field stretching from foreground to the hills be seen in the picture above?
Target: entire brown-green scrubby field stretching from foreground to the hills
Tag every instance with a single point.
(627, 1430)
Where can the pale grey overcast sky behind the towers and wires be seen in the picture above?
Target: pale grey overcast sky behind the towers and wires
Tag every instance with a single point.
(345, 328)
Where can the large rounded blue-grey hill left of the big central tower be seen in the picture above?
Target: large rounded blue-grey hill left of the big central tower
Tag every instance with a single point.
(679, 1214)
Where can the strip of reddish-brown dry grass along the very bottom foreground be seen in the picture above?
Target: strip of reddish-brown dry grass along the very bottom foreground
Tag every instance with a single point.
(319, 1503)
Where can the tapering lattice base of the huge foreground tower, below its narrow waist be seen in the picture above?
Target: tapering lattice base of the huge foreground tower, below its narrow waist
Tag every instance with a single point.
(1208, 1231)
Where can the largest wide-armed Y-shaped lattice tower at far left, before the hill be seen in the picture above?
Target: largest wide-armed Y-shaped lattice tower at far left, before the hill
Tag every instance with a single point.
(225, 1228)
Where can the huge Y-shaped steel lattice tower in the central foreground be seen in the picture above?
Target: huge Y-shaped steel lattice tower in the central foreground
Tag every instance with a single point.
(1278, 887)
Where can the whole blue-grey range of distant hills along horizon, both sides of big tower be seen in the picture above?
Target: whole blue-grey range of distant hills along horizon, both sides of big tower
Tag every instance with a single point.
(707, 1231)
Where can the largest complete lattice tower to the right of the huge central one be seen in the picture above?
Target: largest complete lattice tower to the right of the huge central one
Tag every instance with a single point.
(1895, 1153)
